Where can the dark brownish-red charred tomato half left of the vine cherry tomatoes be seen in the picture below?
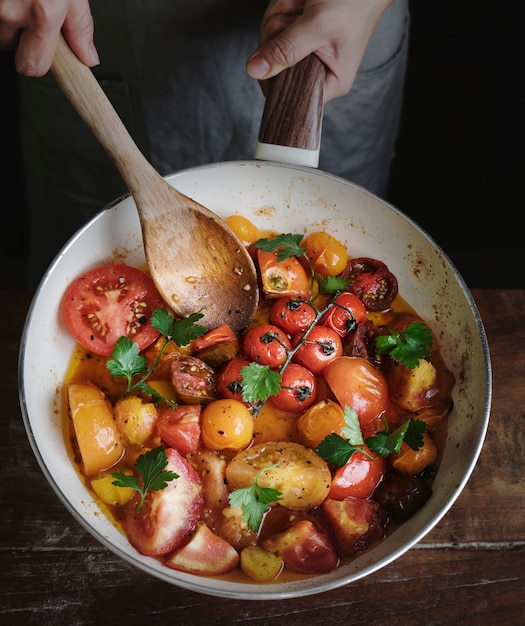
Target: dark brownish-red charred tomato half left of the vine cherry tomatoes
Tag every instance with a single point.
(193, 380)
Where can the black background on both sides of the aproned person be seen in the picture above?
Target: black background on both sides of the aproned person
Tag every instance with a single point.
(460, 163)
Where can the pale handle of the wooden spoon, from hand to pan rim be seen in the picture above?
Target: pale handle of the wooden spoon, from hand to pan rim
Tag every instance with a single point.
(83, 91)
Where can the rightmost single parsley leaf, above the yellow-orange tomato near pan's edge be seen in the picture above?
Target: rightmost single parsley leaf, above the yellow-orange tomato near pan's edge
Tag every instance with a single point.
(407, 347)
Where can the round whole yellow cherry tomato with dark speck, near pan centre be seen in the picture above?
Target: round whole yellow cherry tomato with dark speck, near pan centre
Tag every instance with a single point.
(226, 424)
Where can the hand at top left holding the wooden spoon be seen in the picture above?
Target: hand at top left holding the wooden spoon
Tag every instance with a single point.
(33, 26)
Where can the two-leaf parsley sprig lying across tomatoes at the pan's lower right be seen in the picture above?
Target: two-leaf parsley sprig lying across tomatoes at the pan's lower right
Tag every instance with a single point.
(336, 450)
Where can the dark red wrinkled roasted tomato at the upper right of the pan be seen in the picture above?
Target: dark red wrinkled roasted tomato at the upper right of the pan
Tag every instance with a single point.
(372, 282)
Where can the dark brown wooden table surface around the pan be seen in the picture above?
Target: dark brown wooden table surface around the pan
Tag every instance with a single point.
(470, 569)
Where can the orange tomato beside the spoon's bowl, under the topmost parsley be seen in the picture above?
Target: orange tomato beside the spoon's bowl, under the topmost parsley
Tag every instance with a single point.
(282, 278)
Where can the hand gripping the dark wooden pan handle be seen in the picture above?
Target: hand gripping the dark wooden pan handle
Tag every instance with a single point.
(338, 31)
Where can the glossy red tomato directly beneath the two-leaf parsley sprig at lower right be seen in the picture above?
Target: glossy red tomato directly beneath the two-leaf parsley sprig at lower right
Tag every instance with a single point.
(358, 478)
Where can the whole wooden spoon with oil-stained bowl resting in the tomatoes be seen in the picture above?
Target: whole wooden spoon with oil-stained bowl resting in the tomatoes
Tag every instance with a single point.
(193, 256)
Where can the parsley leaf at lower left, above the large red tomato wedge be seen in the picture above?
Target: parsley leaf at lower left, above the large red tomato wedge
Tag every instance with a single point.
(151, 468)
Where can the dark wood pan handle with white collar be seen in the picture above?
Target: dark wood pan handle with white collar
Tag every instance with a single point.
(290, 129)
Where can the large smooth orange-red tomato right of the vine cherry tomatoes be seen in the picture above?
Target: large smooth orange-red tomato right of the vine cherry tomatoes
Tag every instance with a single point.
(357, 383)
